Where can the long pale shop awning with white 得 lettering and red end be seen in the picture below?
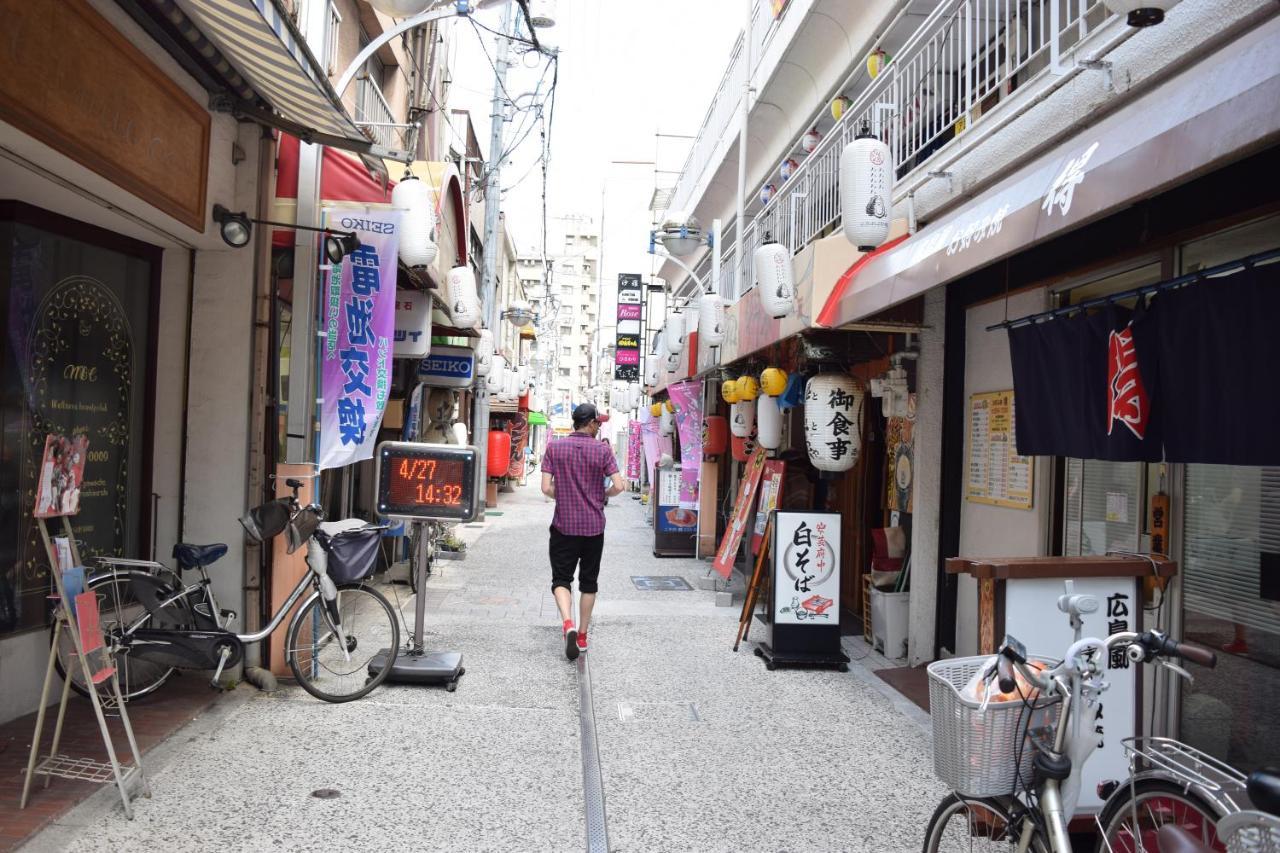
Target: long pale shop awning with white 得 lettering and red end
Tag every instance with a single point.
(1218, 111)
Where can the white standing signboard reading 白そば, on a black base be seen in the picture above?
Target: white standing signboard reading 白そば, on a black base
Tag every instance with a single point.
(807, 568)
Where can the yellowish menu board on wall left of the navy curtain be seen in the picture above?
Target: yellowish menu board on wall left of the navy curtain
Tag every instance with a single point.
(996, 475)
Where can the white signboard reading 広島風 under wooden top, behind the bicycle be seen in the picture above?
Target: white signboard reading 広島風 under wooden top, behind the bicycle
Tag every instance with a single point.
(1032, 617)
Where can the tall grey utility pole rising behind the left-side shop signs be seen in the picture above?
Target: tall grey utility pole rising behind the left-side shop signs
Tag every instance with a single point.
(492, 204)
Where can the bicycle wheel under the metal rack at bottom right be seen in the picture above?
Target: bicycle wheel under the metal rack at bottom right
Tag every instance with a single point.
(1158, 802)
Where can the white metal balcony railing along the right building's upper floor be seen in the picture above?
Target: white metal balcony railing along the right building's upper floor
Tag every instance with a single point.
(966, 58)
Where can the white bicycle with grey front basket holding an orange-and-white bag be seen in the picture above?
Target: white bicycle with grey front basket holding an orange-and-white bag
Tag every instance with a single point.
(1016, 761)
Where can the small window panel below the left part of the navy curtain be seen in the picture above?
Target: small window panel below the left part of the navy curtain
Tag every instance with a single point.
(1104, 507)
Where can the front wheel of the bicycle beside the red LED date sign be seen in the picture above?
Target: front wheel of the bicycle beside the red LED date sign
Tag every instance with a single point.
(317, 655)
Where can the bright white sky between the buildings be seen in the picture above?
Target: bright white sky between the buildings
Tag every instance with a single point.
(628, 71)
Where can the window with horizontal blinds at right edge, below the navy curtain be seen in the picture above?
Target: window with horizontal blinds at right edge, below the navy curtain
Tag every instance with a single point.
(1232, 553)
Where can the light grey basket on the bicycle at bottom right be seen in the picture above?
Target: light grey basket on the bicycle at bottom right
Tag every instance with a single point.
(981, 752)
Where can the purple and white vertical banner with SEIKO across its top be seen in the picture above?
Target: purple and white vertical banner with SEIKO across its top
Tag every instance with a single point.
(356, 348)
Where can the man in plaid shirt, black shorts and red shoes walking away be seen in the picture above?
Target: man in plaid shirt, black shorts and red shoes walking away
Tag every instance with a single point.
(574, 475)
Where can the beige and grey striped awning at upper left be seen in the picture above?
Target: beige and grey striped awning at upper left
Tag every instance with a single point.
(262, 43)
